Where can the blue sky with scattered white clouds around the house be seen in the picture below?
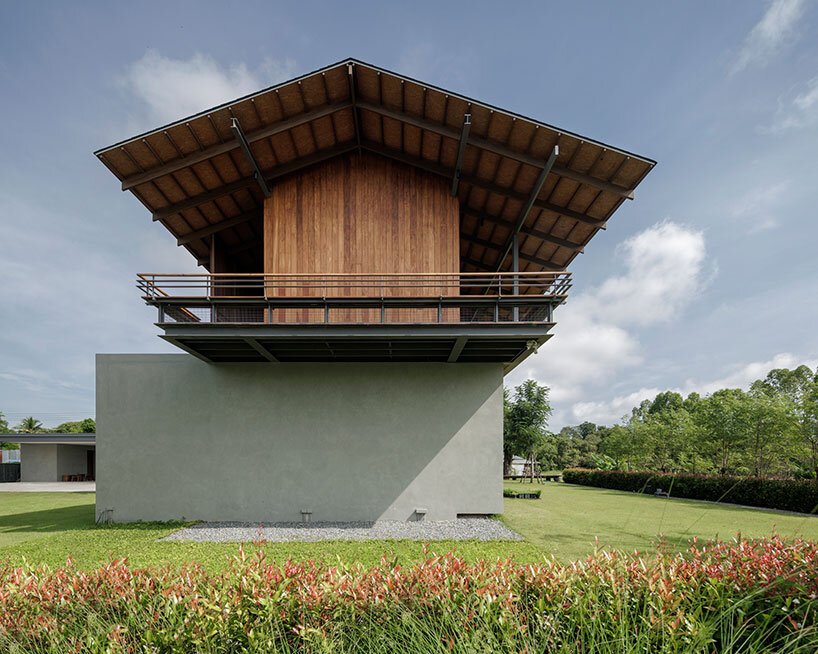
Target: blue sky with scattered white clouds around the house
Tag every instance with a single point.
(707, 279)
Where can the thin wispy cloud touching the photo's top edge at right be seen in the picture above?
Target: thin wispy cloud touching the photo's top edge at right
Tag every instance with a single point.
(775, 30)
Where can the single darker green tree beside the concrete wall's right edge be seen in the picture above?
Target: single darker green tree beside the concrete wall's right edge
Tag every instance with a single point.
(525, 420)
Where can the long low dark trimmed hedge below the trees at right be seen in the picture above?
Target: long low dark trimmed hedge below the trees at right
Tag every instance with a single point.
(785, 494)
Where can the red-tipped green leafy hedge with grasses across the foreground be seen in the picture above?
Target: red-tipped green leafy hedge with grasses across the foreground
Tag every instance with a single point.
(741, 596)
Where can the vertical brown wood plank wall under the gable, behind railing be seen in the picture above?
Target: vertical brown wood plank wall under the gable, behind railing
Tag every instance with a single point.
(361, 214)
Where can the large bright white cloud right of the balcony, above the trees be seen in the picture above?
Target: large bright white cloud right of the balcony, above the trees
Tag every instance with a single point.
(664, 270)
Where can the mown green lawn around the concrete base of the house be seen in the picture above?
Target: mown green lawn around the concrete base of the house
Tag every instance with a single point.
(566, 522)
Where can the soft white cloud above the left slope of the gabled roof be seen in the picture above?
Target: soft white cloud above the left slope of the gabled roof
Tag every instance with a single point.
(169, 89)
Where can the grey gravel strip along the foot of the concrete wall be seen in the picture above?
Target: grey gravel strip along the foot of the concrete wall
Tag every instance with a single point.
(310, 532)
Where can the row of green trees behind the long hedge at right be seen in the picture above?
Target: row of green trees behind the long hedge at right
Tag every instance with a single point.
(770, 430)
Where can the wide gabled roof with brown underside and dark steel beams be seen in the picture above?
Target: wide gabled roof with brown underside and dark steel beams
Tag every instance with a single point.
(198, 178)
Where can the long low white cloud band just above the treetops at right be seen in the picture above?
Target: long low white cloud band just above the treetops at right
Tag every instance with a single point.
(609, 411)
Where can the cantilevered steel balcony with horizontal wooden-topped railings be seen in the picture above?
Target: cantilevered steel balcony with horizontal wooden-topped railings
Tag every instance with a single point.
(458, 317)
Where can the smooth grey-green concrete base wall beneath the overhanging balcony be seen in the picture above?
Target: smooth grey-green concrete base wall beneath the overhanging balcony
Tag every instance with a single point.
(179, 438)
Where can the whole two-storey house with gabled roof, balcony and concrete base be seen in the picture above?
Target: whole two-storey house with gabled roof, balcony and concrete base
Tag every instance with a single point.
(378, 253)
